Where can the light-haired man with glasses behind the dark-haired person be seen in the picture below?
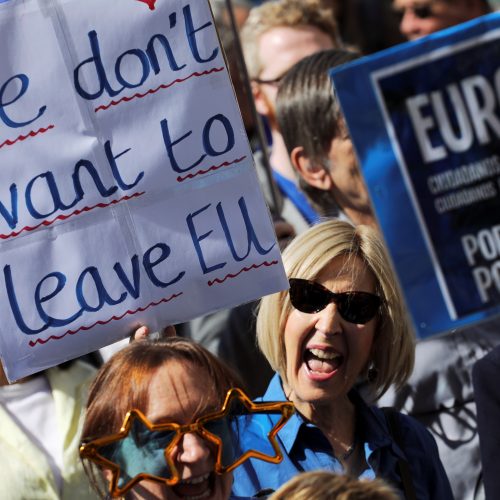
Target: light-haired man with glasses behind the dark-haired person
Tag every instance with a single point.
(275, 36)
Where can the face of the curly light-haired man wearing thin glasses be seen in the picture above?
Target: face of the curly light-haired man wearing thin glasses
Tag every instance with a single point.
(279, 49)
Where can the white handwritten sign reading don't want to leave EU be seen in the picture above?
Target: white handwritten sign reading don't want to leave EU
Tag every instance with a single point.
(128, 192)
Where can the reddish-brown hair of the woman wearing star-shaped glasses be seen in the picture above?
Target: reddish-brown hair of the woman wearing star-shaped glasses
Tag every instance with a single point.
(123, 383)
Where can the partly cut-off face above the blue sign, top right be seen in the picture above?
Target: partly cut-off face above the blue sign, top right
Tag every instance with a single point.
(422, 17)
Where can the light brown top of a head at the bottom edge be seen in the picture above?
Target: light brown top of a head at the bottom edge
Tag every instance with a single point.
(322, 485)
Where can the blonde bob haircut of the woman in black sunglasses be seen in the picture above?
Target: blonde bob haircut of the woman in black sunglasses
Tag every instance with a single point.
(307, 255)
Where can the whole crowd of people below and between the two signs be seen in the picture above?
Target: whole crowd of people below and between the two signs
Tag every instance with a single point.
(319, 391)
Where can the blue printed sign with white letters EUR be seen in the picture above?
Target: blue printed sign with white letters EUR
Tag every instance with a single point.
(425, 121)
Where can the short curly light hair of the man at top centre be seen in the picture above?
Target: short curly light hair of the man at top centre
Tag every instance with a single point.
(283, 13)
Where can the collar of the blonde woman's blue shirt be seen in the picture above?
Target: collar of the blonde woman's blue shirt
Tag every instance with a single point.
(370, 421)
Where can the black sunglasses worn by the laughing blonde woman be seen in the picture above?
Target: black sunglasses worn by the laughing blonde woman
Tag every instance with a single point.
(311, 297)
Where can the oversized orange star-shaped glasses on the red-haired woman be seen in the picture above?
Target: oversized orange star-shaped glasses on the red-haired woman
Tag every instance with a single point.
(142, 450)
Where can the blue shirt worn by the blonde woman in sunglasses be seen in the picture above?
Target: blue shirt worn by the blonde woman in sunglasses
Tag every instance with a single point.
(305, 448)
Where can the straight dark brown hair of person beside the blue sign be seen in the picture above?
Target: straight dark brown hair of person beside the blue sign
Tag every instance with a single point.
(309, 115)
